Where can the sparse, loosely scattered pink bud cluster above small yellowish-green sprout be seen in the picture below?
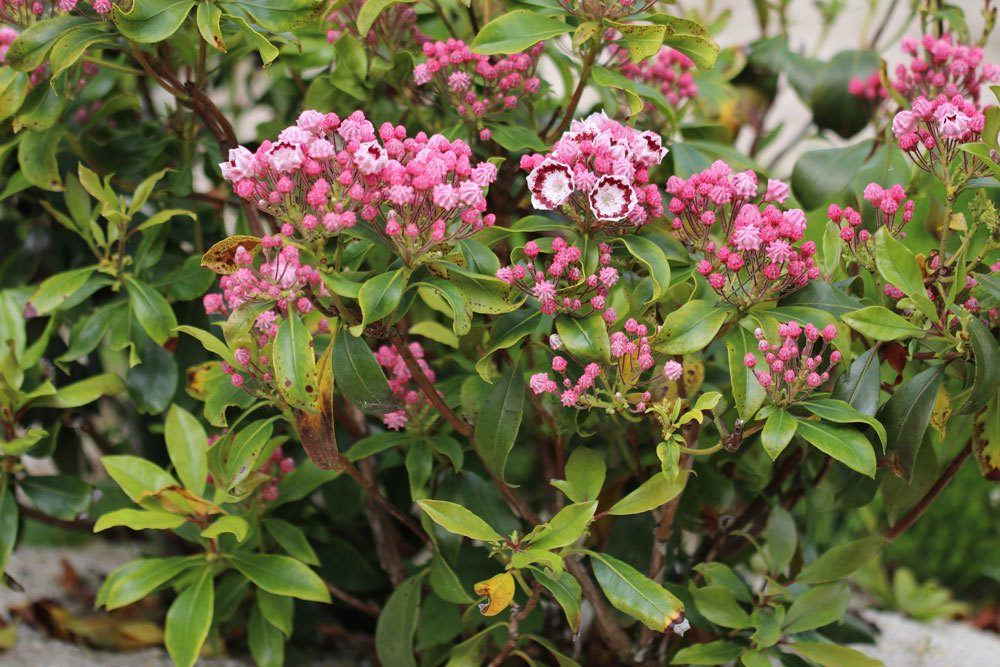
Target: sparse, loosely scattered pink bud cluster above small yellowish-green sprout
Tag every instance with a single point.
(631, 356)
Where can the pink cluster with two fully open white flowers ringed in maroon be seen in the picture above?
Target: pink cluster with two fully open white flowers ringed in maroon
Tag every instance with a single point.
(598, 175)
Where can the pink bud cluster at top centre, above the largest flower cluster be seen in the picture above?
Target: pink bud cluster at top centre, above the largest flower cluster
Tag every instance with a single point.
(478, 86)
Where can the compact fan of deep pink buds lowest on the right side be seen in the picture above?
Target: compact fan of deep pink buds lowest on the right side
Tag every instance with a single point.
(793, 367)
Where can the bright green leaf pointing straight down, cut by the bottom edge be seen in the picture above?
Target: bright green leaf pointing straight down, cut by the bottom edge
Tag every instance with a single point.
(189, 620)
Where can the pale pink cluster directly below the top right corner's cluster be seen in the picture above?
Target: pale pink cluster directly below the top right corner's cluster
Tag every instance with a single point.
(937, 126)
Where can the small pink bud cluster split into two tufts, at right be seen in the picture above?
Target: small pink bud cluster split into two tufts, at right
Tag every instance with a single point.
(892, 212)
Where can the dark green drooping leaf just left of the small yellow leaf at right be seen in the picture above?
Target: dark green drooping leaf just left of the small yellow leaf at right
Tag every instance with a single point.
(907, 414)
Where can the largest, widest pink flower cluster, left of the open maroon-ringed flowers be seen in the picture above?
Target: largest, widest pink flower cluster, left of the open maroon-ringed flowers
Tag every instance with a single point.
(324, 172)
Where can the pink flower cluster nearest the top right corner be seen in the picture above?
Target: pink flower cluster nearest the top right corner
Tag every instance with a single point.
(941, 65)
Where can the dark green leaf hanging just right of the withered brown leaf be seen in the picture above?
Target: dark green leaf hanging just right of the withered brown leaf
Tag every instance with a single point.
(359, 376)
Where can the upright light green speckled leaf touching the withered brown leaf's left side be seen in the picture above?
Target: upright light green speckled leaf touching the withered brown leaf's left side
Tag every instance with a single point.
(295, 364)
